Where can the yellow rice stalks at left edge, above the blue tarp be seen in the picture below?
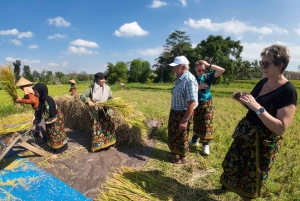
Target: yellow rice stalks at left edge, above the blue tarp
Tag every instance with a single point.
(17, 122)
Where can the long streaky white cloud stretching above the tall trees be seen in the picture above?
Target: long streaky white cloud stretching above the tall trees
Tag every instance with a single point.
(234, 27)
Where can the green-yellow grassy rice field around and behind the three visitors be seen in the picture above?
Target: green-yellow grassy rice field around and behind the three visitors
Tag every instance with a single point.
(199, 180)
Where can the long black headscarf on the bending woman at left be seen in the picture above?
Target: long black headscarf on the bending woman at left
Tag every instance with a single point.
(43, 92)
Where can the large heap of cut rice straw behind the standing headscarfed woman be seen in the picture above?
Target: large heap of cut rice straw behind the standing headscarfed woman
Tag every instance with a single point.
(131, 128)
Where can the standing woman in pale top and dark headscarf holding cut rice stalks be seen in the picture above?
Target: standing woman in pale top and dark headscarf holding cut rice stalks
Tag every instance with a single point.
(103, 130)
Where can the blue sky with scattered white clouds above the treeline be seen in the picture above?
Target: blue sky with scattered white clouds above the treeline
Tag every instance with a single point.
(83, 35)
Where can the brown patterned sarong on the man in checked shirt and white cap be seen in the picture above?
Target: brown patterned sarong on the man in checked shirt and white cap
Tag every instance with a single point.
(178, 139)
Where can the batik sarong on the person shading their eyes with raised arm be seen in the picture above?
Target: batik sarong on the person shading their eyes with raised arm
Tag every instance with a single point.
(203, 121)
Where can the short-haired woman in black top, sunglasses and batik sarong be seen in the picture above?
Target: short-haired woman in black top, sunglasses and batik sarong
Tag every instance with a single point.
(258, 136)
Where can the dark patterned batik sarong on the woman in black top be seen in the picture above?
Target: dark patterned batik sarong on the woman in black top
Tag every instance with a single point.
(249, 159)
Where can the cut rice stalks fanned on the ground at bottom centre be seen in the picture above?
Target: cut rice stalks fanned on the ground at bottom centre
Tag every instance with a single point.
(129, 184)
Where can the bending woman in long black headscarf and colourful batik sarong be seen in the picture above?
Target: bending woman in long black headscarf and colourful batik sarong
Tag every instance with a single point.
(49, 121)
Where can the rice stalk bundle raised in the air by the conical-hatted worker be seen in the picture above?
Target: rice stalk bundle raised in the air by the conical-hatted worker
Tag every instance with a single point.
(7, 79)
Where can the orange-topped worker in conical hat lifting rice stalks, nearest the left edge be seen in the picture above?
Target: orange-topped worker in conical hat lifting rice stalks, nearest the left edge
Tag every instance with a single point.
(29, 97)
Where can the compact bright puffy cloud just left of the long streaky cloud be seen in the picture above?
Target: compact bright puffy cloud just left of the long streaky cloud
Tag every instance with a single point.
(130, 29)
